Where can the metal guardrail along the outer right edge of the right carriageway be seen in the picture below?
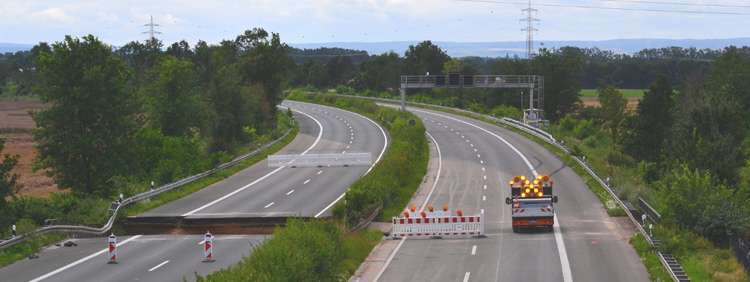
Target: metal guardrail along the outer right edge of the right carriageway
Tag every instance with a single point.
(550, 140)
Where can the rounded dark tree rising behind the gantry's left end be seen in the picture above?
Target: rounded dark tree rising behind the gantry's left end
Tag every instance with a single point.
(423, 58)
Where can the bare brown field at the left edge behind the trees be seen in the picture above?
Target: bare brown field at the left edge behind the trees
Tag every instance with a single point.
(15, 124)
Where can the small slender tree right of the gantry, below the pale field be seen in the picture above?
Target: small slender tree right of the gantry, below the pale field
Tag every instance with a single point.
(614, 108)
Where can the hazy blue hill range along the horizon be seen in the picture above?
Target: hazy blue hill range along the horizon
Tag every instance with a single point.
(498, 49)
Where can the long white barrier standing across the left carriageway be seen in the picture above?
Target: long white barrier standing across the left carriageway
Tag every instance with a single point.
(317, 160)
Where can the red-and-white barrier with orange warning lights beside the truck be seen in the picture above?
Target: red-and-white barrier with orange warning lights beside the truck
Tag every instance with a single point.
(433, 225)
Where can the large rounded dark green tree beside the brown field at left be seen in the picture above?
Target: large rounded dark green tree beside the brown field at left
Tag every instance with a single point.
(82, 138)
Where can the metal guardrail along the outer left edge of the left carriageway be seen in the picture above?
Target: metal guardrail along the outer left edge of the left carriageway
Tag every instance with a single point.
(115, 206)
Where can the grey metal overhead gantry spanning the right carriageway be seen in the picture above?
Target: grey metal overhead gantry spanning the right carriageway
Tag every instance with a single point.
(534, 83)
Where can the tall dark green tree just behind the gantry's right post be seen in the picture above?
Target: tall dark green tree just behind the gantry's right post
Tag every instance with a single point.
(562, 87)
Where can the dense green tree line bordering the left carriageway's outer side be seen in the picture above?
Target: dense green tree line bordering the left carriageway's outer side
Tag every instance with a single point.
(121, 118)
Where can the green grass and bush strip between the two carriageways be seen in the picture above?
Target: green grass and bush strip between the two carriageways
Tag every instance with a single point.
(316, 250)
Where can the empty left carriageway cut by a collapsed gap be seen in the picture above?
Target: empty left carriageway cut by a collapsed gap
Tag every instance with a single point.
(257, 191)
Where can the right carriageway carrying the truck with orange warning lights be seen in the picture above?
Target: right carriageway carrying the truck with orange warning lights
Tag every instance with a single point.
(477, 160)
